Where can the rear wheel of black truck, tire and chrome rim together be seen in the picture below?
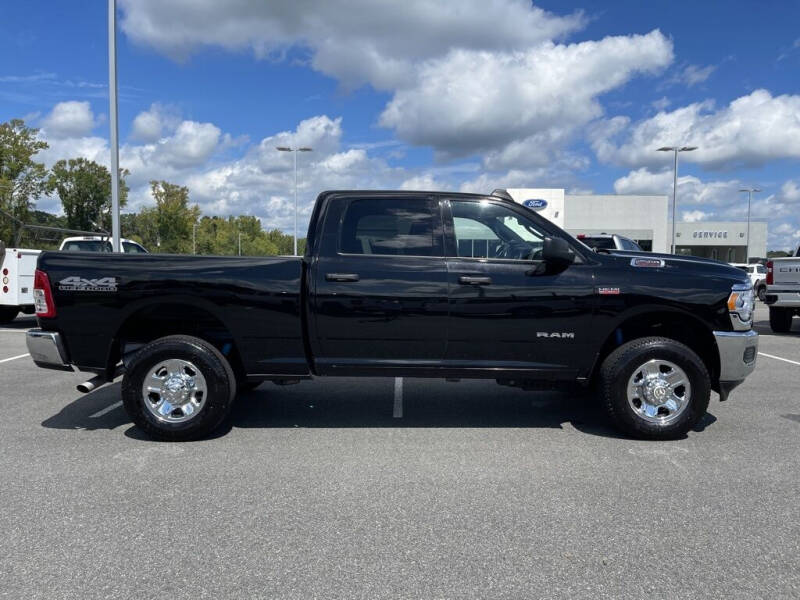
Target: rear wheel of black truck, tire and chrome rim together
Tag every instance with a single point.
(178, 388)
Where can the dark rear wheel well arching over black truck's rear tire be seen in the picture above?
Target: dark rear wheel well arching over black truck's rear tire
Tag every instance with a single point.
(160, 320)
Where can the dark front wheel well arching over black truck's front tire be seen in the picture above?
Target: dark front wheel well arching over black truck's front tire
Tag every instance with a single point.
(675, 326)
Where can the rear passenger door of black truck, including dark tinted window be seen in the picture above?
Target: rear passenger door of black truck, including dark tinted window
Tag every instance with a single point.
(380, 286)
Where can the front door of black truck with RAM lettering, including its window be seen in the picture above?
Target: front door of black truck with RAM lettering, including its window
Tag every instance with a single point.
(508, 311)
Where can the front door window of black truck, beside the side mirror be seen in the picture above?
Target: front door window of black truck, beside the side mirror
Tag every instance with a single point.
(487, 230)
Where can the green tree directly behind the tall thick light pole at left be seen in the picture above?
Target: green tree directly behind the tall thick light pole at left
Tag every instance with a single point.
(84, 188)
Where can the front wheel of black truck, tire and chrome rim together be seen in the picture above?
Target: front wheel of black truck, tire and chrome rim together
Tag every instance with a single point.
(655, 388)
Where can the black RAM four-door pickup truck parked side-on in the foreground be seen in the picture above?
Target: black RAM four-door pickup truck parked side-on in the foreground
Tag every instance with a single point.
(409, 284)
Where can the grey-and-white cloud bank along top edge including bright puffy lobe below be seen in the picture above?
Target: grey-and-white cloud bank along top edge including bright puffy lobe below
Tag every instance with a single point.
(487, 77)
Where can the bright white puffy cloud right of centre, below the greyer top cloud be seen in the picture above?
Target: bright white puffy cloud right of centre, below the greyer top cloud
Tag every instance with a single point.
(472, 100)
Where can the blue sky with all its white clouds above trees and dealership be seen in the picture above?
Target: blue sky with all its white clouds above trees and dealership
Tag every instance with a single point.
(470, 95)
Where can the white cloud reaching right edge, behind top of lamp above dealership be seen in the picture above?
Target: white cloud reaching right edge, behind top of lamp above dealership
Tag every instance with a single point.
(751, 131)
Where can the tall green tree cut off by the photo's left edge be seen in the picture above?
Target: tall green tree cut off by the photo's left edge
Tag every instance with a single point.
(22, 179)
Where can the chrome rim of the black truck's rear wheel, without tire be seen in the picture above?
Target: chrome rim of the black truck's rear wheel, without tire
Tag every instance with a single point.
(174, 391)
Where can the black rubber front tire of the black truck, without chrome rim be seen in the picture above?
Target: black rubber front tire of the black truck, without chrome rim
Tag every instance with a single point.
(620, 366)
